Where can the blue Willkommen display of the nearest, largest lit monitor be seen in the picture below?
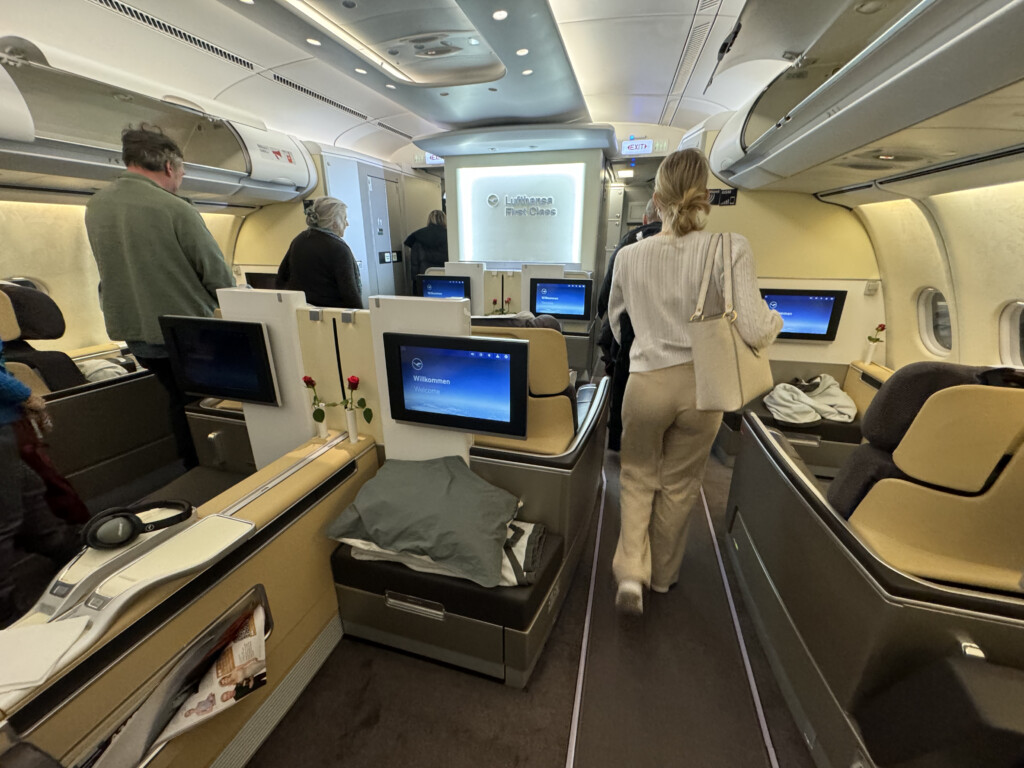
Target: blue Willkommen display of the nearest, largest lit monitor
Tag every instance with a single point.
(479, 388)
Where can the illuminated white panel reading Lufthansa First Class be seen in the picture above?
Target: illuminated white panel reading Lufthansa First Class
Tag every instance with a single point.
(522, 214)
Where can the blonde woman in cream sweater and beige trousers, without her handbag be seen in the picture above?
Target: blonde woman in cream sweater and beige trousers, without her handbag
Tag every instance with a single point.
(666, 441)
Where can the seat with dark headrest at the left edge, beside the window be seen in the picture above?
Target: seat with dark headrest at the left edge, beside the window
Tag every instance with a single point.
(38, 317)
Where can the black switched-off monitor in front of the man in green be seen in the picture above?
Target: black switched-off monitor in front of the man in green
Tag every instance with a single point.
(214, 358)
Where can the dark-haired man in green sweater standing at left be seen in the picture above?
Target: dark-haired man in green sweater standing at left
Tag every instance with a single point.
(155, 257)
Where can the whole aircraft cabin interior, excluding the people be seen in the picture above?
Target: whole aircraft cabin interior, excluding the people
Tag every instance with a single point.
(397, 546)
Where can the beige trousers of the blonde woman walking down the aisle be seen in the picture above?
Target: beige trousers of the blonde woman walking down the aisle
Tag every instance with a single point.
(666, 443)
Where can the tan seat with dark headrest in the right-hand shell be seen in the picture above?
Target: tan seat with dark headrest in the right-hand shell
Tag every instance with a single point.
(936, 490)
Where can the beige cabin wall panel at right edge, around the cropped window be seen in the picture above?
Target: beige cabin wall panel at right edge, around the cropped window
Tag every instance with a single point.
(984, 231)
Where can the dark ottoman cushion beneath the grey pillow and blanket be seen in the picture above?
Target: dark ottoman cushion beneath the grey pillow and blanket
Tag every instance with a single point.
(514, 608)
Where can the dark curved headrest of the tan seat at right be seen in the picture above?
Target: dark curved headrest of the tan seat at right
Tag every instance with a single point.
(900, 400)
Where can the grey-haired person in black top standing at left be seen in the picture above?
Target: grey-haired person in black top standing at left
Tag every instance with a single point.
(320, 264)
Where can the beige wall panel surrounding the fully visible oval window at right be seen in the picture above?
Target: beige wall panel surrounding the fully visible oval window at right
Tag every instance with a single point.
(911, 260)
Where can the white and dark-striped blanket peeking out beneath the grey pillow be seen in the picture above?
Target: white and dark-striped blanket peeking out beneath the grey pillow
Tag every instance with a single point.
(521, 557)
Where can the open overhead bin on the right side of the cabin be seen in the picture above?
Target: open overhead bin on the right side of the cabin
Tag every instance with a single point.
(943, 55)
